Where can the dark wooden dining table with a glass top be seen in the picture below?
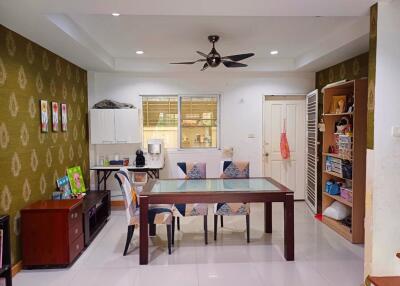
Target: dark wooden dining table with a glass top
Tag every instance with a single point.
(171, 191)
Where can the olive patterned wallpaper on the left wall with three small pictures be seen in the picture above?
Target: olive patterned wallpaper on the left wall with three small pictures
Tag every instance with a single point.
(30, 161)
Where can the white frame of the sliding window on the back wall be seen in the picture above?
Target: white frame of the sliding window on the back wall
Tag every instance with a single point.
(179, 133)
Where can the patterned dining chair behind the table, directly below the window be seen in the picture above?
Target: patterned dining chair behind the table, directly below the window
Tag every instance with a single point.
(191, 171)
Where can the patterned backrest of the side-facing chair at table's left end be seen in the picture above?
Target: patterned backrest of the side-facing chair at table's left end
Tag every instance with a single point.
(131, 198)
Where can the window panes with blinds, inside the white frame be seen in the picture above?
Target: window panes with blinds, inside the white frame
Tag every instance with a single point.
(181, 121)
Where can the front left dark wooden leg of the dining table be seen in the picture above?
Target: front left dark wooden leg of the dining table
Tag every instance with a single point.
(144, 238)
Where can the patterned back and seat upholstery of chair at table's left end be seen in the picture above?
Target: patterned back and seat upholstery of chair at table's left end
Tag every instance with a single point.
(157, 214)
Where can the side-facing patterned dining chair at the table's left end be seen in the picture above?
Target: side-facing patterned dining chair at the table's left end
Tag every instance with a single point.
(157, 214)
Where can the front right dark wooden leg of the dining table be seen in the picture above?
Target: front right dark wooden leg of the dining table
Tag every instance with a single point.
(289, 227)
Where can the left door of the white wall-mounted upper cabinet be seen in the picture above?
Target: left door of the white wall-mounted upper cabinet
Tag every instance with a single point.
(102, 129)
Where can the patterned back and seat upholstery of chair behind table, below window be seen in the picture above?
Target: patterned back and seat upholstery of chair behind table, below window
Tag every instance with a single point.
(191, 171)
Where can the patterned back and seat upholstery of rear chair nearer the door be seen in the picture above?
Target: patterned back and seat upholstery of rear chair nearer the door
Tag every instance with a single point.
(233, 170)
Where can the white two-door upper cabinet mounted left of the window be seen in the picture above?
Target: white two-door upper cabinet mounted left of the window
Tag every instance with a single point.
(112, 126)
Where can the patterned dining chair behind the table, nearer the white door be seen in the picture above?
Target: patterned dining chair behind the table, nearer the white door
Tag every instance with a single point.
(233, 170)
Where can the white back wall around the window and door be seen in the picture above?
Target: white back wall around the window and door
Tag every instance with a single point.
(241, 105)
